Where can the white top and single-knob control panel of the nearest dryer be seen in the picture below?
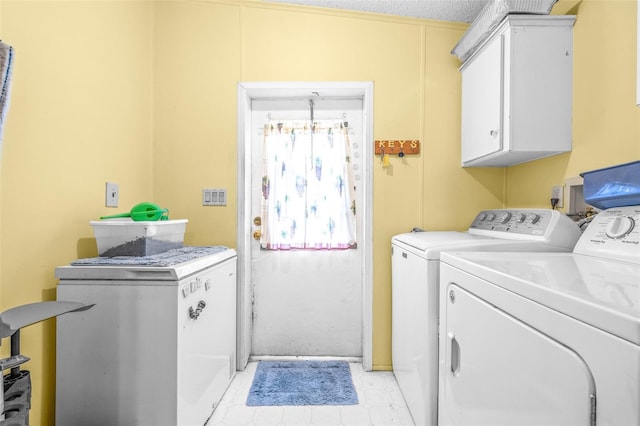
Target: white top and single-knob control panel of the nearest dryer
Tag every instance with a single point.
(598, 284)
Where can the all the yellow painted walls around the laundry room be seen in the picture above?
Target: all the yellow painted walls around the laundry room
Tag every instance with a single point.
(143, 93)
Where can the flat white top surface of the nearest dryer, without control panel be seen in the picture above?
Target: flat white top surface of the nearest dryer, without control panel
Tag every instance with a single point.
(599, 292)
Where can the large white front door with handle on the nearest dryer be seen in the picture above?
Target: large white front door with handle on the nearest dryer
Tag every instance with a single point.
(500, 371)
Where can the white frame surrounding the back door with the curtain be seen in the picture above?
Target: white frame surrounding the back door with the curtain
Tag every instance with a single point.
(300, 90)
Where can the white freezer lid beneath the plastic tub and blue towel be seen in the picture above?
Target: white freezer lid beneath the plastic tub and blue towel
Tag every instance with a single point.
(133, 269)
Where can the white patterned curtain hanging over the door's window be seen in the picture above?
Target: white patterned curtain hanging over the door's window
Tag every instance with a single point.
(307, 187)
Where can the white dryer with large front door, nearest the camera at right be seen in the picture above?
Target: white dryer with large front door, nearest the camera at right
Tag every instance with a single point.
(544, 338)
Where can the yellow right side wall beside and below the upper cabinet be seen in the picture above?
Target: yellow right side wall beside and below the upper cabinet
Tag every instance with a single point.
(606, 122)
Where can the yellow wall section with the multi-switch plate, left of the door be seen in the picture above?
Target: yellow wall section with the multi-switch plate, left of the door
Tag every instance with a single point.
(197, 68)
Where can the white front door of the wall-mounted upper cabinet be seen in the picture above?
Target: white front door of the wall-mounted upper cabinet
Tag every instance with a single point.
(482, 103)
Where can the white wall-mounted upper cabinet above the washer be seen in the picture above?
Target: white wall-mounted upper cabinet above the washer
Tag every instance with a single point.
(517, 92)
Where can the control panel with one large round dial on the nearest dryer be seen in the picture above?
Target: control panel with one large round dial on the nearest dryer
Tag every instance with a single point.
(613, 234)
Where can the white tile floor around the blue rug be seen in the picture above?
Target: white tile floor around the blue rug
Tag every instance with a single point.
(381, 404)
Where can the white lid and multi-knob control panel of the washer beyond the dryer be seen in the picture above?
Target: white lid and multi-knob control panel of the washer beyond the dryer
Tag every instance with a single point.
(499, 229)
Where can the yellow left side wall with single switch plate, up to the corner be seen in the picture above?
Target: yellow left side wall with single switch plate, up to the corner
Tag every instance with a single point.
(80, 115)
